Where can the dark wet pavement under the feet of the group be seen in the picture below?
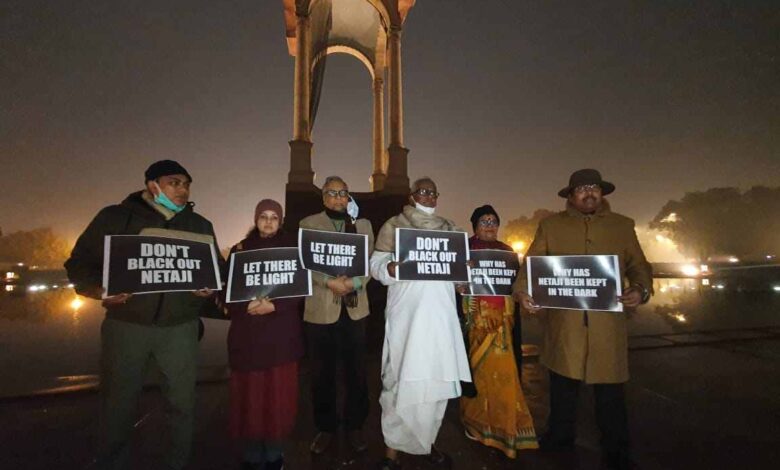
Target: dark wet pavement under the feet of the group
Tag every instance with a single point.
(692, 405)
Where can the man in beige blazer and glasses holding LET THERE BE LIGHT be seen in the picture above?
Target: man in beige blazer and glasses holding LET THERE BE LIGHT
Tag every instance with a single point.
(335, 320)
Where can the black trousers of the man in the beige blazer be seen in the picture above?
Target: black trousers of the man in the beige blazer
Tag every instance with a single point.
(343, 342)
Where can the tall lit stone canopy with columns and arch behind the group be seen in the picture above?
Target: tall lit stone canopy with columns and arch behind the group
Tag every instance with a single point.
(369, 30)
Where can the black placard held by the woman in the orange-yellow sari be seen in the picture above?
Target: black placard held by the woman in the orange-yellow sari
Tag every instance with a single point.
(493, 272)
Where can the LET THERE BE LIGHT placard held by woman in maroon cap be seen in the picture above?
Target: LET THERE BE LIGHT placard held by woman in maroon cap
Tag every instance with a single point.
(268, 272)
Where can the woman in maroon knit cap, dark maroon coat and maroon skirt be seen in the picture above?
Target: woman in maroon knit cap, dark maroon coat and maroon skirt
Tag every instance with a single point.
(264, 345)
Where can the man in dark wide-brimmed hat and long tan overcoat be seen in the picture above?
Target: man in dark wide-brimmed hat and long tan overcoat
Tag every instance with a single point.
(588, 346)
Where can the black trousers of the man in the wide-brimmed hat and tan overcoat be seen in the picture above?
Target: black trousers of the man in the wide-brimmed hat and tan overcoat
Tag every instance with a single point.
(611, 415)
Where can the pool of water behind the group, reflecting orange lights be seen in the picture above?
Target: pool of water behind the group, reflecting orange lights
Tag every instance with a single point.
(47, 341)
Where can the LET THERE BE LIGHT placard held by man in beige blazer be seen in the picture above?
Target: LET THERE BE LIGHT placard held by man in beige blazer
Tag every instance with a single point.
(334, 253)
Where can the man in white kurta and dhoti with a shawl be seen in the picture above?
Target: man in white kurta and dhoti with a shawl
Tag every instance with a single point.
(424, 357)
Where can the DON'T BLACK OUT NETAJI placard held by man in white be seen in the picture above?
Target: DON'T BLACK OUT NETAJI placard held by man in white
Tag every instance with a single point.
(431, 255)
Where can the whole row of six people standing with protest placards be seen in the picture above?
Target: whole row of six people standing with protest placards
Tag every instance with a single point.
(435, 348)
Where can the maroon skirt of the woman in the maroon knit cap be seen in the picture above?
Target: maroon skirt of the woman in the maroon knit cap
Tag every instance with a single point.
(264, 403)
